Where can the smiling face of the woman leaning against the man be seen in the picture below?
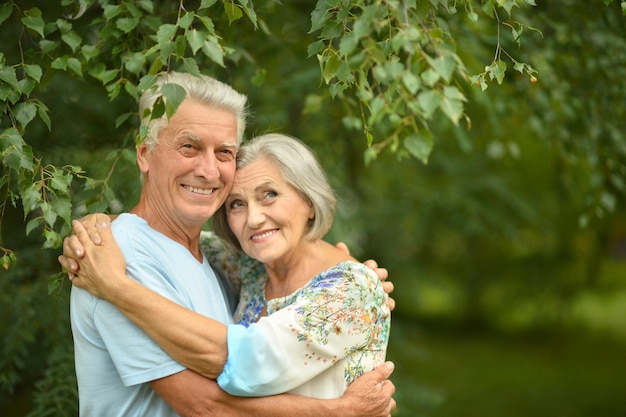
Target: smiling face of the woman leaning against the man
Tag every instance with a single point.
(266, 214)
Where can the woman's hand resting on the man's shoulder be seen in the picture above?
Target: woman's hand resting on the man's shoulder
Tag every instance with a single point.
(101, 269)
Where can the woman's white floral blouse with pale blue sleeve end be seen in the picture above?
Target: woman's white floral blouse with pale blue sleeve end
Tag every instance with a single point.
(313, 342)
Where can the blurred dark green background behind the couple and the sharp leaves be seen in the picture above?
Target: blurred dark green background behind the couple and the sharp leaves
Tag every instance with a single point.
(507, 250)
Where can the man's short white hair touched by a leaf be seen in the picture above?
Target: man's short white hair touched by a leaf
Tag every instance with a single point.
(204, 89)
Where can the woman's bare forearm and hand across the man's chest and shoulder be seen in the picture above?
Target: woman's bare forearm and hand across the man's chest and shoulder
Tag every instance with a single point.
(194, 340)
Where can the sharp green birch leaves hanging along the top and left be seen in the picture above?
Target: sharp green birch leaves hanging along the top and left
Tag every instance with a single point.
(394, 65)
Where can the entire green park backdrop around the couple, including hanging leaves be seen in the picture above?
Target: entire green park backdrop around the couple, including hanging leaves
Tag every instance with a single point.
(501, 219)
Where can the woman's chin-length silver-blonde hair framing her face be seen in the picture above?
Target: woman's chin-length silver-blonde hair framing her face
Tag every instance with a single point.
(300, 169)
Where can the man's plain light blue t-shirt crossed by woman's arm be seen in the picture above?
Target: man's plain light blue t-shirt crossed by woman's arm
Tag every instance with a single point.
(114, 358)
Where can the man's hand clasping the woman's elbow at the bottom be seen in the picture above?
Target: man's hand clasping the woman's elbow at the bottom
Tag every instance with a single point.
(370, 395)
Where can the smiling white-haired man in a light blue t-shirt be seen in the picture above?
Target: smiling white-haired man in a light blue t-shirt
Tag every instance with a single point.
(187, 165)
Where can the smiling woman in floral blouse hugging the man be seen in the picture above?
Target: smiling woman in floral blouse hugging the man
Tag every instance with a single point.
(310, 320)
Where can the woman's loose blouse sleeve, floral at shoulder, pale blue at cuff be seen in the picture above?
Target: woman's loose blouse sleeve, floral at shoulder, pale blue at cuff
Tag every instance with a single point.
(332, 317)
